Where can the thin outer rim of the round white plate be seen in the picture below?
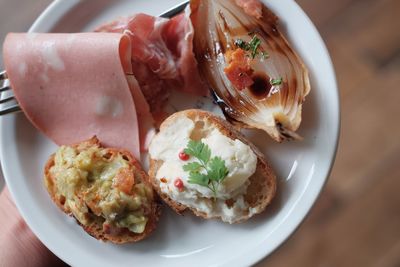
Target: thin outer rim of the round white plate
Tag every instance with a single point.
(61, 7)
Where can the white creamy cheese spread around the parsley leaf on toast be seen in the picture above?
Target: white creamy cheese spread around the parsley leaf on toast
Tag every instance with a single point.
(239, 159)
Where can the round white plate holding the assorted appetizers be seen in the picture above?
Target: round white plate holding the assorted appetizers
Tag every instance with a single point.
(302, 167)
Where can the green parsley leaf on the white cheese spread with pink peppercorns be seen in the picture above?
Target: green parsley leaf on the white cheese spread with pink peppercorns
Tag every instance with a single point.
(207, 171)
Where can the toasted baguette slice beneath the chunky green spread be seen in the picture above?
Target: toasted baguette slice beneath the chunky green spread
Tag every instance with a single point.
(94, 221)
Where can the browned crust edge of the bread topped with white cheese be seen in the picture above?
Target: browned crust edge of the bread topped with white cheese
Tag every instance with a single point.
(262, 187)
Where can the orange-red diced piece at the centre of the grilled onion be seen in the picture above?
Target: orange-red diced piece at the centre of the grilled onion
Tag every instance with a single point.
(239, 71)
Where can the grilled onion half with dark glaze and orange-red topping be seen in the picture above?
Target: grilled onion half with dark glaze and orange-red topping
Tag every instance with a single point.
(266, 88)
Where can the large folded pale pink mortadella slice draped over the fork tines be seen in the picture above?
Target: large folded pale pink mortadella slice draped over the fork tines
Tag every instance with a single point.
(73, 86)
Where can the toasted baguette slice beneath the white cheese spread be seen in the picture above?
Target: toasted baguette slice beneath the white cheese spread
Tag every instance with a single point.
(262, 186)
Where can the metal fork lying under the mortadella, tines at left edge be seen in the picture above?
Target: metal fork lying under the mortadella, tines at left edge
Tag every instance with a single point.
(8, 103)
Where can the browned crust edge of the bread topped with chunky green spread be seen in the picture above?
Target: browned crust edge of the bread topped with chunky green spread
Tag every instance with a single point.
(95, 229)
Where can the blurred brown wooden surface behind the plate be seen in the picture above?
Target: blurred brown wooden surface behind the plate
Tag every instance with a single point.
(356, 221)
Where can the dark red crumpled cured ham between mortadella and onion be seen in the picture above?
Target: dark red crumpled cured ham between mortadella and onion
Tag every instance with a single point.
(162, 55)
